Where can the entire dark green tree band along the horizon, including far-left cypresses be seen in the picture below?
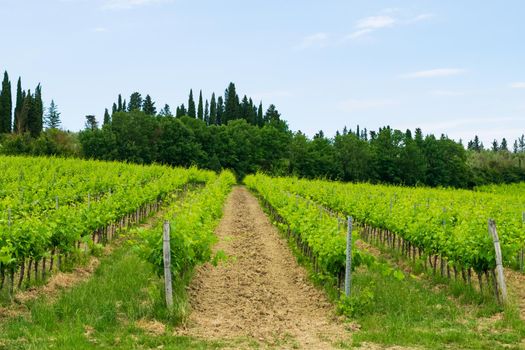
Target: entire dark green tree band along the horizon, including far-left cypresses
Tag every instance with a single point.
(231, 132)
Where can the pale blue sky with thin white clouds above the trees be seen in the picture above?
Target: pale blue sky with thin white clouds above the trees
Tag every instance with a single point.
(446, 66)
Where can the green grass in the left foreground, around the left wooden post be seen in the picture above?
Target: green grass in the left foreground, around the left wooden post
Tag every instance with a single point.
(104, 312)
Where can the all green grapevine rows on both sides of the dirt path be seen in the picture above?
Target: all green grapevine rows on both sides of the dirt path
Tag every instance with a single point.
(54, 208)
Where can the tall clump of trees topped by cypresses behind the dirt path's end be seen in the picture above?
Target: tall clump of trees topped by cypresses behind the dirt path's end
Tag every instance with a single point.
(227, 132)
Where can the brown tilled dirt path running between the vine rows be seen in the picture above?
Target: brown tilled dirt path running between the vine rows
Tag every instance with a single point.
(260, 293)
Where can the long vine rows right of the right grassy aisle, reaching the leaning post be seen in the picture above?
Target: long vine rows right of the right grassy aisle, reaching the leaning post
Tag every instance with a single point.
(451, 224)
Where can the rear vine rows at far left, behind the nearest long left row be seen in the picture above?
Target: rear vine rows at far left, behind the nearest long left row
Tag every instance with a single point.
(36, 185)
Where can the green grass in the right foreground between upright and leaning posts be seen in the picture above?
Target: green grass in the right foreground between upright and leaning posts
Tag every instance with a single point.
(412, 313)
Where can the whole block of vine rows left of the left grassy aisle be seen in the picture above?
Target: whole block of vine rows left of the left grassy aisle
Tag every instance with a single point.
(54, 208)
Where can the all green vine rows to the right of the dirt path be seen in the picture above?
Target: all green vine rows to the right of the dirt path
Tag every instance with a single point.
(448, 228)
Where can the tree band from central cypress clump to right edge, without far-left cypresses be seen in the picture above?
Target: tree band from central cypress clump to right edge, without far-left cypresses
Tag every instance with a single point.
(248, 144)
